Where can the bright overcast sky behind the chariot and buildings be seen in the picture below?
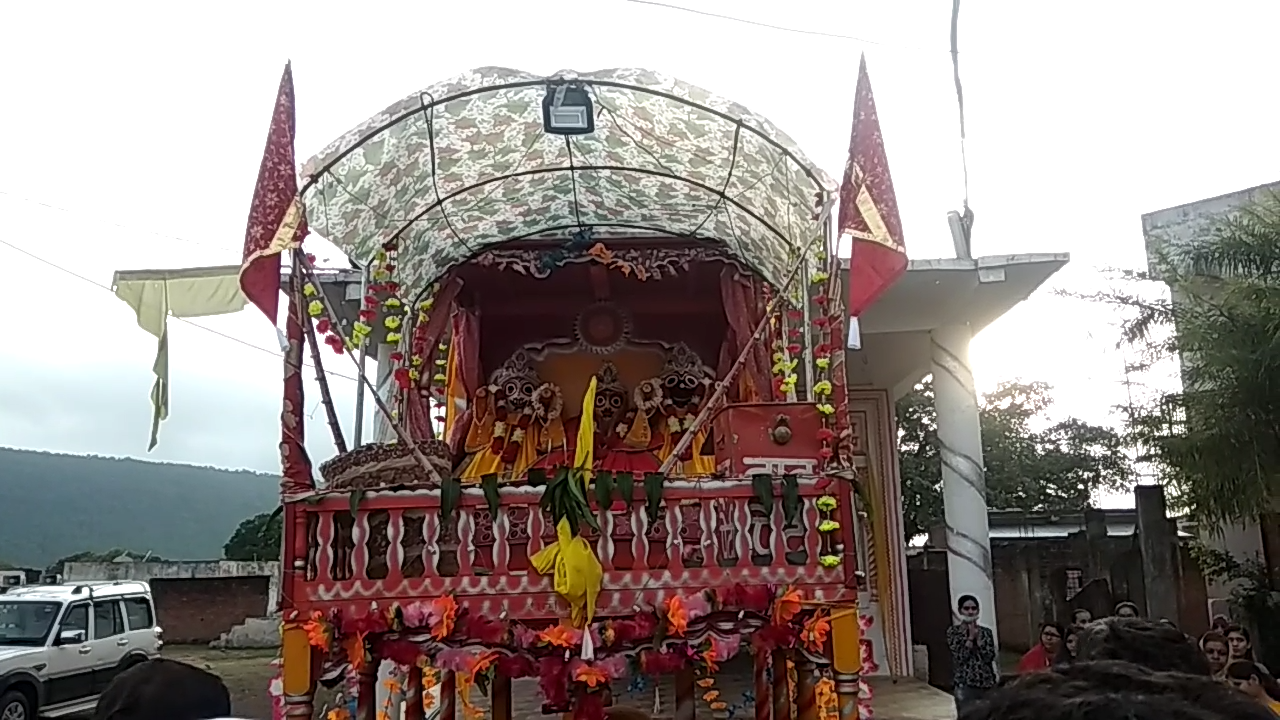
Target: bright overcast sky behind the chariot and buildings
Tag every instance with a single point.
(135, 133)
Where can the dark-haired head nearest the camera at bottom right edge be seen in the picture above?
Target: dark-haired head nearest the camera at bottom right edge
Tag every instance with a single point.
(1114, 691)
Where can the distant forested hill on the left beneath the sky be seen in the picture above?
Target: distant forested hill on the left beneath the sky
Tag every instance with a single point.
(57, 505)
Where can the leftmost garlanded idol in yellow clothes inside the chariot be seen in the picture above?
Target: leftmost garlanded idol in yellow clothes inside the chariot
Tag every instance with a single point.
(518, 421)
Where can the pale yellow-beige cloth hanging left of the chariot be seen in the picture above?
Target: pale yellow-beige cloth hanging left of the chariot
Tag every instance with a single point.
(194, 293)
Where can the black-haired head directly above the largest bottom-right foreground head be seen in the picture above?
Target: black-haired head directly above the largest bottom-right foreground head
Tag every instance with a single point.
(1142, 642)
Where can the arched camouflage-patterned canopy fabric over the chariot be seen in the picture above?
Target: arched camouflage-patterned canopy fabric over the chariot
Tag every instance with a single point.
(465, 165)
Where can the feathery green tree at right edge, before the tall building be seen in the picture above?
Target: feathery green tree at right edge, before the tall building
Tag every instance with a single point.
(1215, 443)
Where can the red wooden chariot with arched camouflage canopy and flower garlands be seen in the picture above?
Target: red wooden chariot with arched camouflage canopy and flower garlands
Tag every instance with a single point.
(614, 436)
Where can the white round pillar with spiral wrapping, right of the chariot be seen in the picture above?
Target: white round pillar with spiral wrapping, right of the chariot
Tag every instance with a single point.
(964, 484)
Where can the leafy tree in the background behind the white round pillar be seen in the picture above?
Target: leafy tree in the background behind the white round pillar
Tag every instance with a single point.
(1057, 470)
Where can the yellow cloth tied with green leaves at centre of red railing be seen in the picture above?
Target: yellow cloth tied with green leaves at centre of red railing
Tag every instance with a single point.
(578, 573)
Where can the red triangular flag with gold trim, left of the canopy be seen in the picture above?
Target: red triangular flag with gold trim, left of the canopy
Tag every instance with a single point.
(277, 221)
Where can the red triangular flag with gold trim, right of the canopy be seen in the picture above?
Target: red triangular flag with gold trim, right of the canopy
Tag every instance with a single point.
(868, 208)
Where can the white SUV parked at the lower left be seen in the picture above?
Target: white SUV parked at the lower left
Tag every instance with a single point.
(62, 645)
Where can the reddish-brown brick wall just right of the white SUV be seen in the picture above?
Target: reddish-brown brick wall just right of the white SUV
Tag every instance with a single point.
(199, 610)
